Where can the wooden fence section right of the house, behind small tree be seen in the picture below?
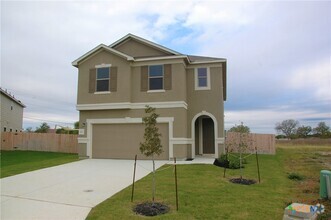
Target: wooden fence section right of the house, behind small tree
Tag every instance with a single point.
(265, 143)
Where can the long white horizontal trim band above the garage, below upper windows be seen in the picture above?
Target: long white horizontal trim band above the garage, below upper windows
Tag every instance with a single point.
(129, 105)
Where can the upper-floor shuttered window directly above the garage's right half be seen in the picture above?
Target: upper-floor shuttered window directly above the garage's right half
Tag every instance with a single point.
(155, 77)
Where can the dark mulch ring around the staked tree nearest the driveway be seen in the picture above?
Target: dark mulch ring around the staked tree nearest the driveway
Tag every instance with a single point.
(151, 209)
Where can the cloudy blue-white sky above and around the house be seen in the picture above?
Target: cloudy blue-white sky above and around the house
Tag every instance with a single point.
(278, 52)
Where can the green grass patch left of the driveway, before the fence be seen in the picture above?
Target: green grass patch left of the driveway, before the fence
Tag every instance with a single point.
(16, 162)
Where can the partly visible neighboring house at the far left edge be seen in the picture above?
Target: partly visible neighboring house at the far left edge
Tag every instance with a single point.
(11, 113)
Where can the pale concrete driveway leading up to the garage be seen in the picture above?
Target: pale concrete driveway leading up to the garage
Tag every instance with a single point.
(67, 191)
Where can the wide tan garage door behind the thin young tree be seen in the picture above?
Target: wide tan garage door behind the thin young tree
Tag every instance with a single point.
(121, 141)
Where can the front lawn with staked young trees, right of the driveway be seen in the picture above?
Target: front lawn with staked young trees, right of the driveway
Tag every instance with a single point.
(205, 194)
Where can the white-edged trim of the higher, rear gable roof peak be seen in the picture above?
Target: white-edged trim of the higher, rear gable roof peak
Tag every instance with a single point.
(144, 41)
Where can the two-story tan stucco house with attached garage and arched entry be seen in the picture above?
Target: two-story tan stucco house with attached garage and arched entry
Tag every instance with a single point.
(116, 82)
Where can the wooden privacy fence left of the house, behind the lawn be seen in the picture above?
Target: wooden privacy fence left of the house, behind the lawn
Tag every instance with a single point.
(66, 143)
